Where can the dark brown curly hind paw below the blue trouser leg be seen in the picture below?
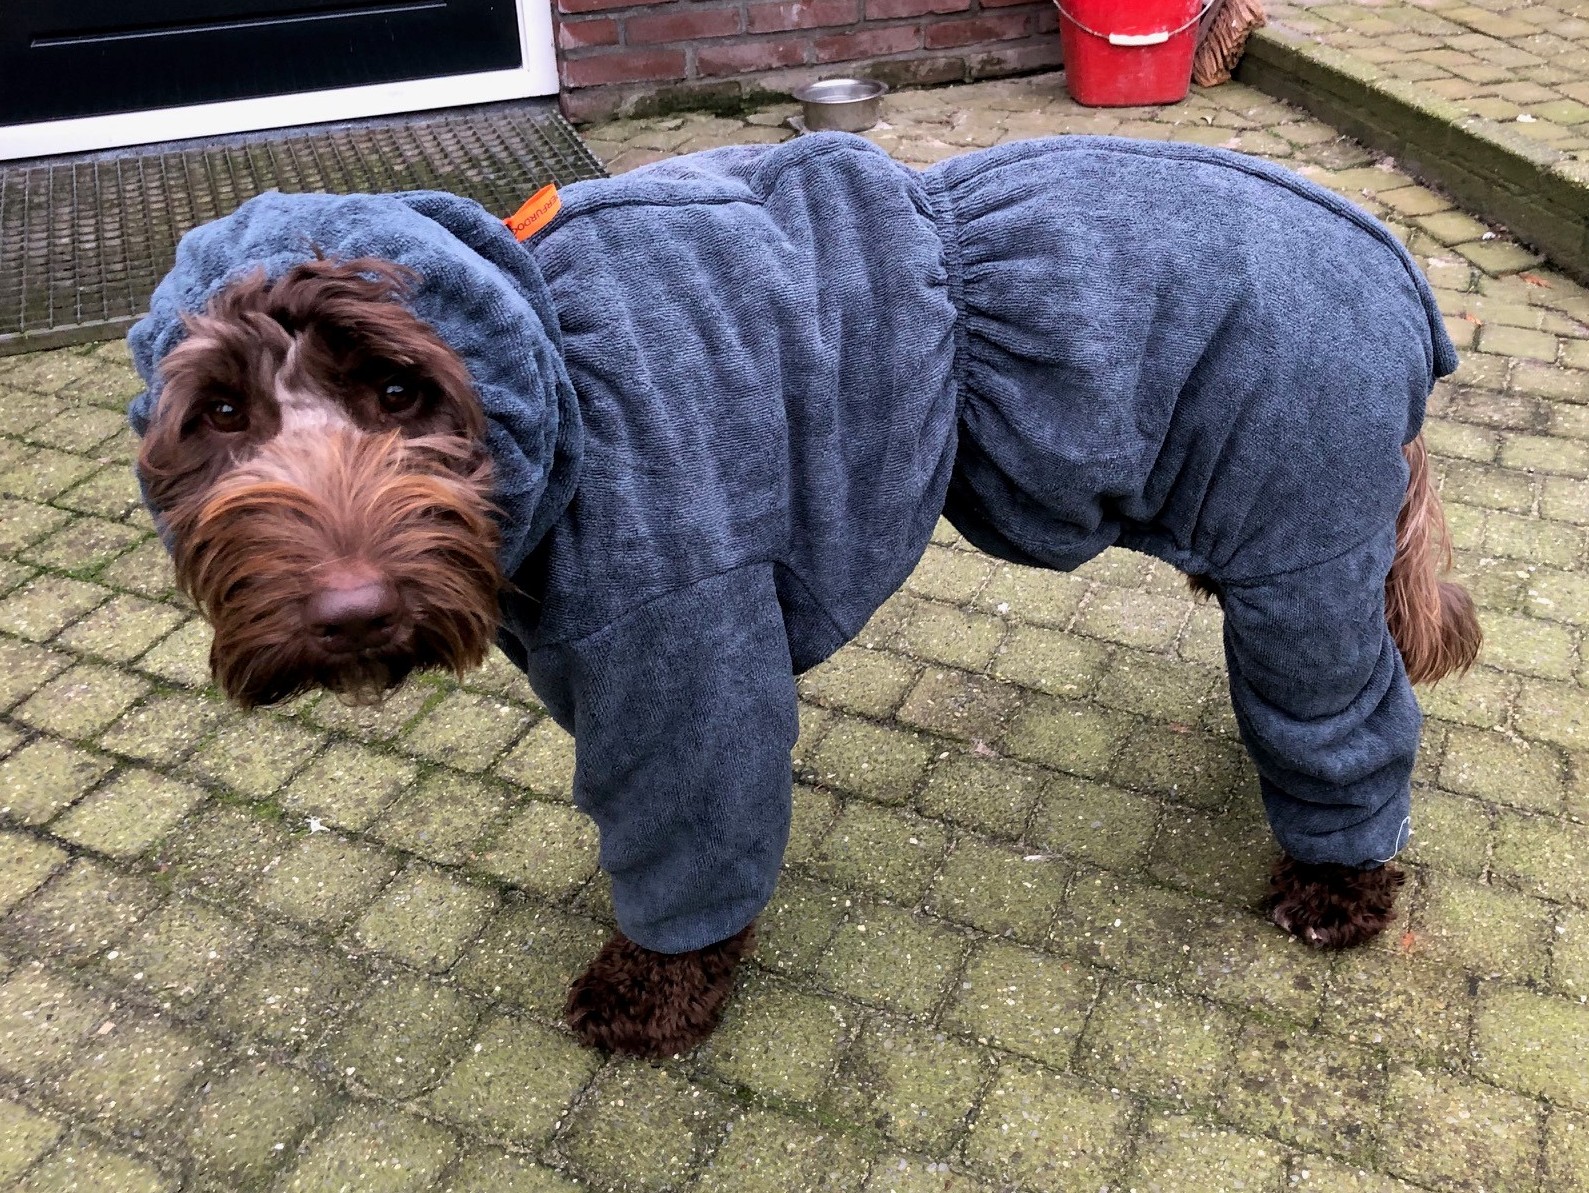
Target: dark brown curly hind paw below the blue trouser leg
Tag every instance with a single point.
(1332, 906)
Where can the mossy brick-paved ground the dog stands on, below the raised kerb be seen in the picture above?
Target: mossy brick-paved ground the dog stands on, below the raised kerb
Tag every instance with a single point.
(1016, 943)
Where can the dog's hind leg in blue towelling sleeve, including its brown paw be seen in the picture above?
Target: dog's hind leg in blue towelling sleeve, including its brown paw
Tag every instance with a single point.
(1329, 717)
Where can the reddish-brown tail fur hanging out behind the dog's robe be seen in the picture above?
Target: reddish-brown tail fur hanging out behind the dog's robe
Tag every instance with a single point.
(1432, 620)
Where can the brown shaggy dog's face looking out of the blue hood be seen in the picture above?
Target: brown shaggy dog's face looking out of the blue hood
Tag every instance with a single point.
(319, 458)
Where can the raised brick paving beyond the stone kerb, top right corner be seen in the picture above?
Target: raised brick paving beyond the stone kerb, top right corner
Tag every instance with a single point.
(1521, 63)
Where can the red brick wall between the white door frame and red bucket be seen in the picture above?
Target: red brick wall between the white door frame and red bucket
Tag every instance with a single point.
(640, 56)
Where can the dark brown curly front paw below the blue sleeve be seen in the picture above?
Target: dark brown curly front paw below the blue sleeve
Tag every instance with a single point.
(640, 1003)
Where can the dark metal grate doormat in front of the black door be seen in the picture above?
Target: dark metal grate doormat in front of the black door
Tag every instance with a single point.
(85, 241)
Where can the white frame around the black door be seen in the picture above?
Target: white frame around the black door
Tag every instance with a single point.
(536, 77)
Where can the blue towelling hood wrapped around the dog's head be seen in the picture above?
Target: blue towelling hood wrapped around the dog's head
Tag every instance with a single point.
(477, 288)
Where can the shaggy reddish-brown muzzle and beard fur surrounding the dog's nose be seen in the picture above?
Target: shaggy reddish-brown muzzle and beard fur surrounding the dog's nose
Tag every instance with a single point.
(250, 552)
